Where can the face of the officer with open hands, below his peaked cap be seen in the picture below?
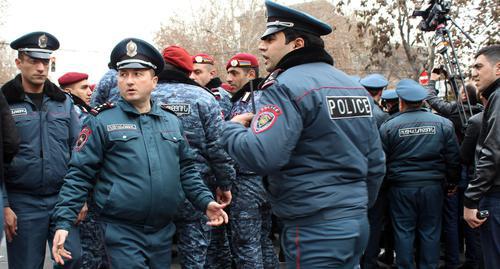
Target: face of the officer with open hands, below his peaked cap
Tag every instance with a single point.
(136, 85)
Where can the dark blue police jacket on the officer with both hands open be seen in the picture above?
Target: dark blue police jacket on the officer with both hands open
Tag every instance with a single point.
(145, 169)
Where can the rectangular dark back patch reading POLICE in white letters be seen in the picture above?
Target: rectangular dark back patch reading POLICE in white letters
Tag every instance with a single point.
(341, 107)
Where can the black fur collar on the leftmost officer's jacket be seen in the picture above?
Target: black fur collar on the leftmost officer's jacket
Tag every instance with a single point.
(14, 92)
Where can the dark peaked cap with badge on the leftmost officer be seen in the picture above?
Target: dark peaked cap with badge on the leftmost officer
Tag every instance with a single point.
(38, 45)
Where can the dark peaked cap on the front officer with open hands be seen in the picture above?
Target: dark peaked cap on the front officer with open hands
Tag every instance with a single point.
(134, 53)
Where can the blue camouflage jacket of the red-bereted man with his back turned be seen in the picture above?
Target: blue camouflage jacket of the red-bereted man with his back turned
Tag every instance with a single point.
(201, 118)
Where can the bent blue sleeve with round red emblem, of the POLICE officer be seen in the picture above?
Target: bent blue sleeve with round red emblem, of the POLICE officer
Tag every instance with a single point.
(267, 145)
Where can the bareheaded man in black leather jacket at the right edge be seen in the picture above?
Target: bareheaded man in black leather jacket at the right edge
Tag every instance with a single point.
(483, 193)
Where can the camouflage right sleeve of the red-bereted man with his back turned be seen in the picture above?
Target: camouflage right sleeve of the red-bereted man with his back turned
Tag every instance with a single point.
(222, 165)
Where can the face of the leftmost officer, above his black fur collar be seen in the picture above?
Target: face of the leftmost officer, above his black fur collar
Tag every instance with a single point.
(33, 71)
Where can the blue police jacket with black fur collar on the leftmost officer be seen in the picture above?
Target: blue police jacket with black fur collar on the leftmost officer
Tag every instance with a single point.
(47, 136)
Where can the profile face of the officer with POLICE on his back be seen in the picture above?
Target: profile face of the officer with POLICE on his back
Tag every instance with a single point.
(273, 49)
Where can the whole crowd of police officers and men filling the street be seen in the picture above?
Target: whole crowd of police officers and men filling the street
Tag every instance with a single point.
(162, 151)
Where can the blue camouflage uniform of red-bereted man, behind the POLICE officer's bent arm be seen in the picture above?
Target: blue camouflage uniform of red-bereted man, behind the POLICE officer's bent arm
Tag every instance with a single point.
(250, 214)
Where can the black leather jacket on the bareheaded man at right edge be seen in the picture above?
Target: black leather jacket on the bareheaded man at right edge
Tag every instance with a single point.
(487, 179)
